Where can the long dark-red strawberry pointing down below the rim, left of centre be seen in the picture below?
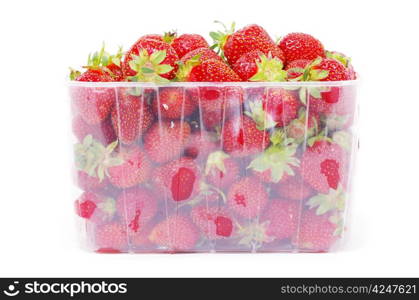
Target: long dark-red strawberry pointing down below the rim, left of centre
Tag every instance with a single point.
(131, 117)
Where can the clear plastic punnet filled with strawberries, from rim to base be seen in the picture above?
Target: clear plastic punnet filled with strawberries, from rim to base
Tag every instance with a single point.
(213, 167)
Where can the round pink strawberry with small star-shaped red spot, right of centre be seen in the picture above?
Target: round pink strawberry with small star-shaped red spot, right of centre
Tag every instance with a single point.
(247, 197)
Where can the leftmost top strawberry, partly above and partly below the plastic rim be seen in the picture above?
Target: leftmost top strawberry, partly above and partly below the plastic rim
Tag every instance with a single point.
(92, 103)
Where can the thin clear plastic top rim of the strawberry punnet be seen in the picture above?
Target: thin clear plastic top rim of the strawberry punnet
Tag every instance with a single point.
(218, 84)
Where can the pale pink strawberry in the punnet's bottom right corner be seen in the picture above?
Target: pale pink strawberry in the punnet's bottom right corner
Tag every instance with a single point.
(316, 233)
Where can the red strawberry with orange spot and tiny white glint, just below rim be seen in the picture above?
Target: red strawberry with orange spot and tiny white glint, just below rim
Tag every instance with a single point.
(174, 103)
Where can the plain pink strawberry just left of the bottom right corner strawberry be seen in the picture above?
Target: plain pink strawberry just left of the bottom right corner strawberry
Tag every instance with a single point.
(282, 218)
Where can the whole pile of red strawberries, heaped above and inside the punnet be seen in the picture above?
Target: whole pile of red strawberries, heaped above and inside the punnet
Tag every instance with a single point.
(178, 167)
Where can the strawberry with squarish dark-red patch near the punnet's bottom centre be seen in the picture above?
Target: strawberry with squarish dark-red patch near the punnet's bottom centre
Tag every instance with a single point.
(214, 222)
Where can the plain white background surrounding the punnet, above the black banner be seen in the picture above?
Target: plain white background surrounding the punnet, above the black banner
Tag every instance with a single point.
(41, 39)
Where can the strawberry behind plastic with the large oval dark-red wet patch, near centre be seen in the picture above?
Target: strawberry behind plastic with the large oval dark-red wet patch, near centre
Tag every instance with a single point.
(178, 180)
